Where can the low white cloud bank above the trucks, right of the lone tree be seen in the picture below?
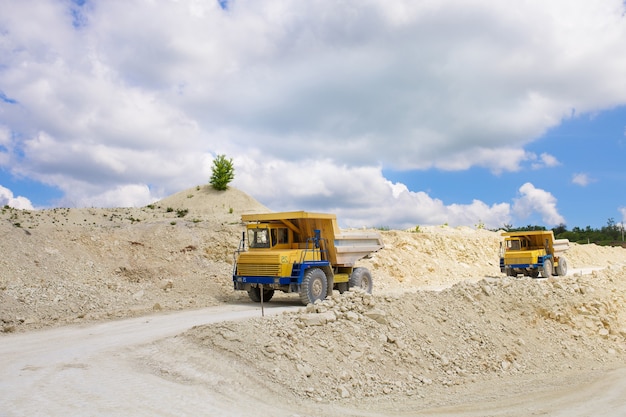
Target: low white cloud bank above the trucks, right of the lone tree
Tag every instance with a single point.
(361, 196)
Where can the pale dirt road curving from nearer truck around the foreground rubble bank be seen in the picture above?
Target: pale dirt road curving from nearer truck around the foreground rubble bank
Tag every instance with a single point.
(96, 370)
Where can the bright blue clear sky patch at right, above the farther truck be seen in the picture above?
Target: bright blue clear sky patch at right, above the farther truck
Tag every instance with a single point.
(588, 181)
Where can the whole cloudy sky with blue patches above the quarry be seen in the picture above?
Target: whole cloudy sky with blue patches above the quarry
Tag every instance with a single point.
(390, 114)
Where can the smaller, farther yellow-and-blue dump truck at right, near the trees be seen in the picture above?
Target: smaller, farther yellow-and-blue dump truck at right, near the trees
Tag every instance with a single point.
(533, 253)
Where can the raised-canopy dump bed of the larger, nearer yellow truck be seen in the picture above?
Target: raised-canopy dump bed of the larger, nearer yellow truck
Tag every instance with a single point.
(343, 248)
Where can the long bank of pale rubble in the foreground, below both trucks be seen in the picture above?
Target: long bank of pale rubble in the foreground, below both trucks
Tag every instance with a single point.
(358, 345)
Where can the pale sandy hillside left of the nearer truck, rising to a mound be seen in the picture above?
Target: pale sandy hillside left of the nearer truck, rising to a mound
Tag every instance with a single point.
(64, 266)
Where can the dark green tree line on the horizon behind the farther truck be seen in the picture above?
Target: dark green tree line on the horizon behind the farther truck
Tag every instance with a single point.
(611, 234)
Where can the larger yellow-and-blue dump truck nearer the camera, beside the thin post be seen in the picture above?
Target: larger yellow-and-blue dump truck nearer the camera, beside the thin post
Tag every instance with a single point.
(300, 252)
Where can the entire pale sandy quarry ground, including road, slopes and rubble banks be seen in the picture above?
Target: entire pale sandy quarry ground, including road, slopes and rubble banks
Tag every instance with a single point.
(131, 312)
